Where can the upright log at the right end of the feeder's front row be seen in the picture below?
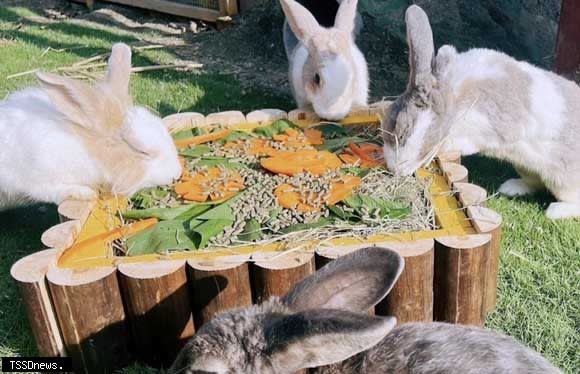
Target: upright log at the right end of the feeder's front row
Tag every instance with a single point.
(459, 282)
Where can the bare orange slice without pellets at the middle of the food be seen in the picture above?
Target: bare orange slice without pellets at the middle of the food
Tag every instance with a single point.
(292, 163)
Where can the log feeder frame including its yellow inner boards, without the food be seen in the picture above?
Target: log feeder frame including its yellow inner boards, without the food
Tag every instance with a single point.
(105, 311)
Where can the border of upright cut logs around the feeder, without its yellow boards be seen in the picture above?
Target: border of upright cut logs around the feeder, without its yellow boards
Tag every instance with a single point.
(420, 294)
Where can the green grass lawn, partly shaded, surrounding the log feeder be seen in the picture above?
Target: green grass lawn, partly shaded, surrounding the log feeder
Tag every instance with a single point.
(539, 297)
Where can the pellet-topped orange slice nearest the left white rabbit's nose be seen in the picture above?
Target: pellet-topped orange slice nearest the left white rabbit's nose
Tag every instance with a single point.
(213, 184)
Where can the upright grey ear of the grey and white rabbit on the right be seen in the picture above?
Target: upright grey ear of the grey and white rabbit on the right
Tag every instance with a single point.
(421, 46)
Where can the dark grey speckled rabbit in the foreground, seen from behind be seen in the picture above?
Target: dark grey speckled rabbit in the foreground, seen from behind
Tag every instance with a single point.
(322, 323)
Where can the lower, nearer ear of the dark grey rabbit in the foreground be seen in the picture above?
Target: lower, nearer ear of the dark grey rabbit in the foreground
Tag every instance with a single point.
(322, 337)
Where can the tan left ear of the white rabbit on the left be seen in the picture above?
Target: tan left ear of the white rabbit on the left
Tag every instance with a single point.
(74, 99)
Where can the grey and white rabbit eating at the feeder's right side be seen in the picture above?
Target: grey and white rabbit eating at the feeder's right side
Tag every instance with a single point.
(483, 101)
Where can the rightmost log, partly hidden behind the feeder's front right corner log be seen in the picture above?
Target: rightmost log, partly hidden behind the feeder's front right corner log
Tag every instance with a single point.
(487, 221)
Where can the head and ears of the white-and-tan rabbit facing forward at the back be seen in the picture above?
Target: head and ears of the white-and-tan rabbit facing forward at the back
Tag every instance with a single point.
(327, 71)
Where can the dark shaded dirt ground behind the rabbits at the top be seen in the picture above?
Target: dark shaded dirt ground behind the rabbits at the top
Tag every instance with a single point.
(250, 47)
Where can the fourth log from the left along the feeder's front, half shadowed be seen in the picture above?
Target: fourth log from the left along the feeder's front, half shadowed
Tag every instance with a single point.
(219, 285)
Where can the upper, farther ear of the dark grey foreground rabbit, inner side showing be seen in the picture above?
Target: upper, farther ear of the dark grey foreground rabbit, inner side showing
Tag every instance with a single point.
(355, 282)
